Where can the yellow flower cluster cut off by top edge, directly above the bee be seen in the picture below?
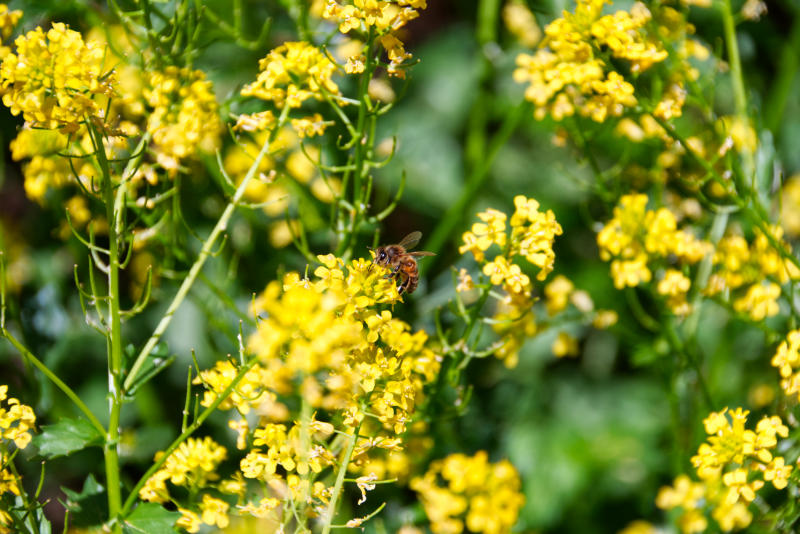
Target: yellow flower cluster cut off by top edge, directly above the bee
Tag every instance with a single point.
(383, 18)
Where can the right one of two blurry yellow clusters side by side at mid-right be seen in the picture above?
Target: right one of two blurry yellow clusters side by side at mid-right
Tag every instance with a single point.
(753, 270)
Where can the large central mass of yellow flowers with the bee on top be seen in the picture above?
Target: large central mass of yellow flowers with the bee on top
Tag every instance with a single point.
(322, 343)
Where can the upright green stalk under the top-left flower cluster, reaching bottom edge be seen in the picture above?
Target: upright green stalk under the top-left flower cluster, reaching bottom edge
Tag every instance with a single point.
(110, 447)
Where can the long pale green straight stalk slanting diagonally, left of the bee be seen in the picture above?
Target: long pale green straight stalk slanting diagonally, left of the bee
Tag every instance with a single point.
(205, 252)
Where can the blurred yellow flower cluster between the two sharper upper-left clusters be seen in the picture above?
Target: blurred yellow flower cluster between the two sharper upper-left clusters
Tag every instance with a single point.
(184, 117)
